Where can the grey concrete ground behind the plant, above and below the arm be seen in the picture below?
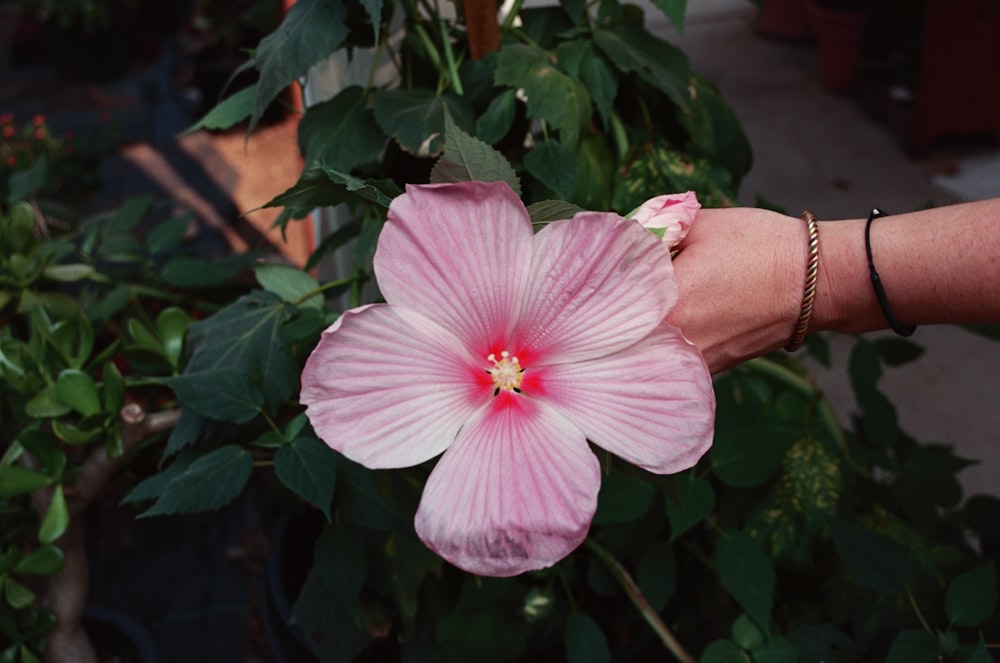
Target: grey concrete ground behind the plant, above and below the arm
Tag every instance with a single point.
(816, 150)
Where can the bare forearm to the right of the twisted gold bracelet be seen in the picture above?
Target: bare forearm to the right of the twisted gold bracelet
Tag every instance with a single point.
(937, 266)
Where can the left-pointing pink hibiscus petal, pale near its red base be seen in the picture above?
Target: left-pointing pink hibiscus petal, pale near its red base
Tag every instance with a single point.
(389, 389)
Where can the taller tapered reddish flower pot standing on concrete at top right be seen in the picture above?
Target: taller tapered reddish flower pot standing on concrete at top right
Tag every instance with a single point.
(840, 37)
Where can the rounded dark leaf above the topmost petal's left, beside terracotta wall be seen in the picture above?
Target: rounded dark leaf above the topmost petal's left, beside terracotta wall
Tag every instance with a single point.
(342, 132)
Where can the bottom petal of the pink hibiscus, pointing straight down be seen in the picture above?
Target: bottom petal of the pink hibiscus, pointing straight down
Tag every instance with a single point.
(516, 492)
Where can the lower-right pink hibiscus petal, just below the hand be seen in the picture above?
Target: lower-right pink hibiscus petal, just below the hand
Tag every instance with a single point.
(651, 404)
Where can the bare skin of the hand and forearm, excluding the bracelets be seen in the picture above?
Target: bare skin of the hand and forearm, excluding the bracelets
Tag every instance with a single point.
(740, 275)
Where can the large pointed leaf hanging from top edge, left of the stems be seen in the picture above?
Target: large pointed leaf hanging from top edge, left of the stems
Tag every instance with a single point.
(310, 31)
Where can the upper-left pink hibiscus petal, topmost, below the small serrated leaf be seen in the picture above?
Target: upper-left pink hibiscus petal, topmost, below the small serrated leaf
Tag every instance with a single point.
(458, 253)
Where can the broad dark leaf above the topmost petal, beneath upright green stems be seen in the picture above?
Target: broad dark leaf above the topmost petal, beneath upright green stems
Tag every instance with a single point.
(416, 118)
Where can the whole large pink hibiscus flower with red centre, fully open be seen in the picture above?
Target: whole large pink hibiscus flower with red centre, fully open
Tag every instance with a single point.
(507, 351)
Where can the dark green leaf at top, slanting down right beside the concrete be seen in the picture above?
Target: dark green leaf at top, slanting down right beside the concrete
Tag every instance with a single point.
(633, 49)
